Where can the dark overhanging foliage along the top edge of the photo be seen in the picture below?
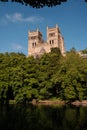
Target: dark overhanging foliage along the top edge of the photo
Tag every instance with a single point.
(38, 3)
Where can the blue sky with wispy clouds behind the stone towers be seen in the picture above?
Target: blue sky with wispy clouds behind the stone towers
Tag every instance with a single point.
(16, 19)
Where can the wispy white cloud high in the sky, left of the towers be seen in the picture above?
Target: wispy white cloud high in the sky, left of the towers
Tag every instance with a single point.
(18, 17)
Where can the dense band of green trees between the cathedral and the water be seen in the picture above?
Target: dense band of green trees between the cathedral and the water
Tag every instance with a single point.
(51, 76)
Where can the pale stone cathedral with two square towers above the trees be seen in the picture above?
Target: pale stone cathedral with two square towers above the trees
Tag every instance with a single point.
(37, 46)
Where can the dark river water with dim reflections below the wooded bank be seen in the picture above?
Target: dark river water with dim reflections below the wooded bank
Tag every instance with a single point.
(18, 117)
